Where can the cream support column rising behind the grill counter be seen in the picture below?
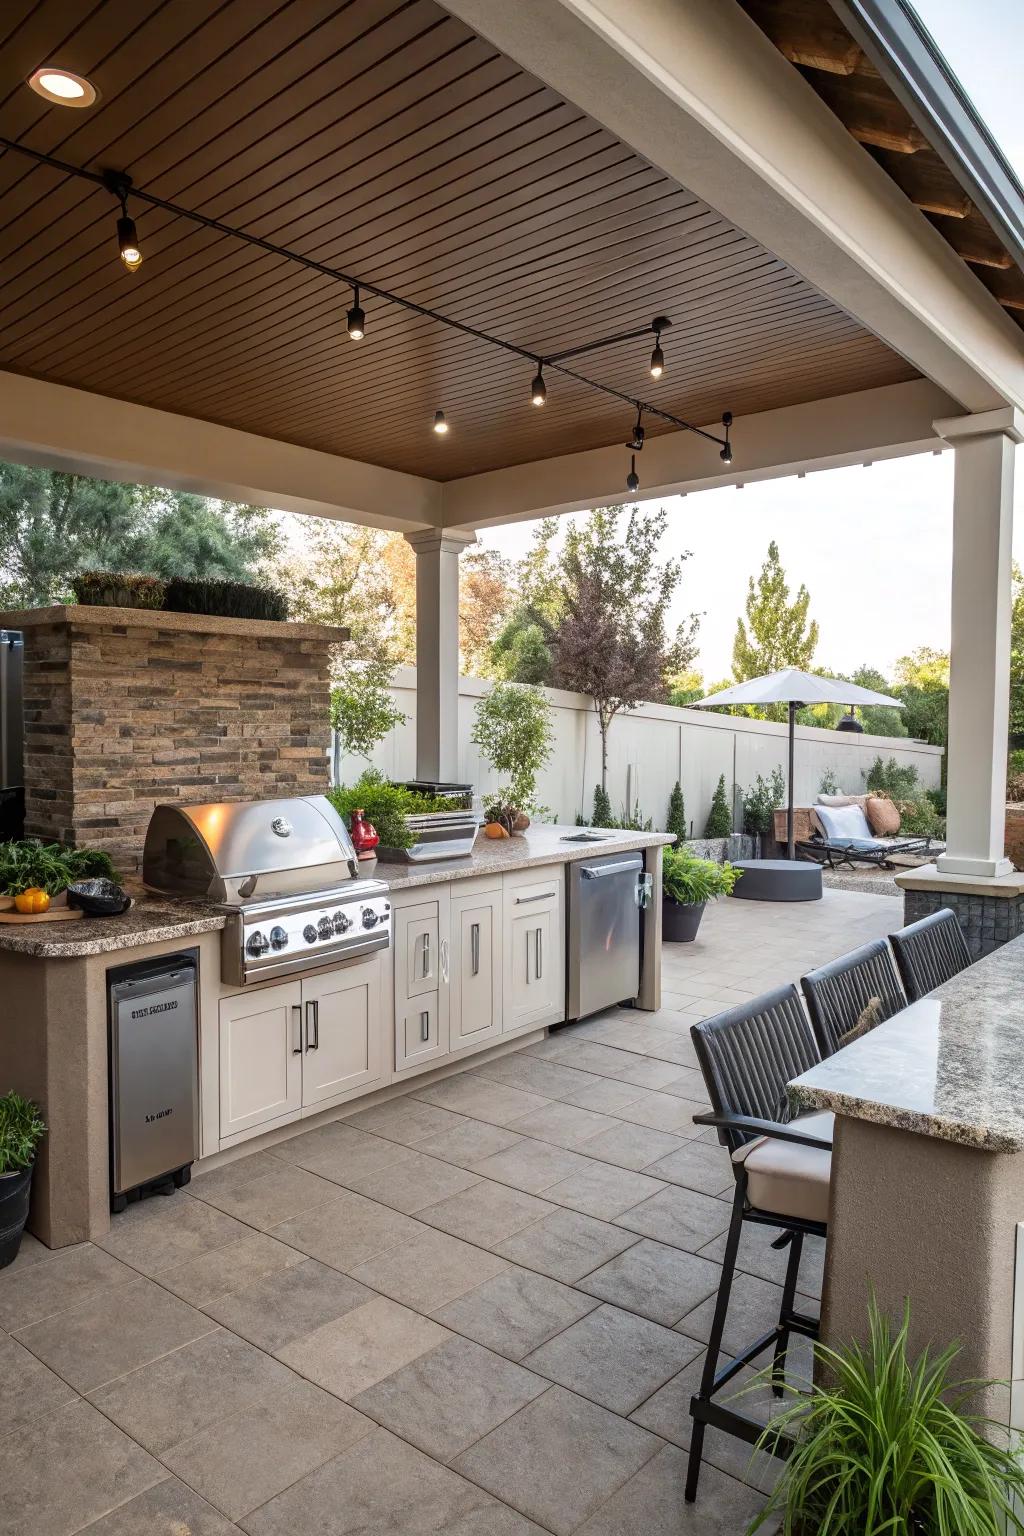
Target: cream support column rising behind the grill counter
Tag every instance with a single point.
(438, 650)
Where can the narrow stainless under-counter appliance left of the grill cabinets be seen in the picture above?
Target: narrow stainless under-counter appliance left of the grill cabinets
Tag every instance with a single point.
(154, 1076)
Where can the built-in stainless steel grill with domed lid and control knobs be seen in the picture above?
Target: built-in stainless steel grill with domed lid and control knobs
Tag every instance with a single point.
(285, 872)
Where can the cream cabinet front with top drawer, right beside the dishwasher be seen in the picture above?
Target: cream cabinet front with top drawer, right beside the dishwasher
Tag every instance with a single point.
(533, 959)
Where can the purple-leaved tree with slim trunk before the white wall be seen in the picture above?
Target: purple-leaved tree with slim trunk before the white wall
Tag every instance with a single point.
(612, 640)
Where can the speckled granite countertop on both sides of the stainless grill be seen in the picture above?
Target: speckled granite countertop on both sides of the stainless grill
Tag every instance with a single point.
(156, 919)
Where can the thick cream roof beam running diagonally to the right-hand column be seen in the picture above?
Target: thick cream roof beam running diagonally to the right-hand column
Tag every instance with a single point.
(707, 98)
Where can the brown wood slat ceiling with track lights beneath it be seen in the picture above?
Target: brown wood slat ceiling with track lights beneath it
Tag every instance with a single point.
(388, 141)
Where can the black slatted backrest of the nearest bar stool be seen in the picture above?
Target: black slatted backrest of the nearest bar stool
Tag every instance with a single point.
(750, 1053)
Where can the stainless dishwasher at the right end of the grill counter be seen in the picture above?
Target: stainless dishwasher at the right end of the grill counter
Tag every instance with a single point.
(606, 901)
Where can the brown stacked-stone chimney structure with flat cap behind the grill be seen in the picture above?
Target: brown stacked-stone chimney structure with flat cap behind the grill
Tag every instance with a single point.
(127, 709)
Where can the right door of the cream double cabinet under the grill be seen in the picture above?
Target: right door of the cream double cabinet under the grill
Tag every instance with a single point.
(343, 1030)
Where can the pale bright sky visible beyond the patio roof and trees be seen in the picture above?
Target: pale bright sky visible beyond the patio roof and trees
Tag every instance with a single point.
(874, 545)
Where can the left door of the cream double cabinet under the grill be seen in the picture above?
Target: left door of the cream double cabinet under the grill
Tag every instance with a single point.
(262, 1058)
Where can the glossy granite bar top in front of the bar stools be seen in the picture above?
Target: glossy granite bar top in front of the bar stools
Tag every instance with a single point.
(950, 1067)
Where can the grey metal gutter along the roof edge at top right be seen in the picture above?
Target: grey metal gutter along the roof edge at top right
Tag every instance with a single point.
(903, 51)
